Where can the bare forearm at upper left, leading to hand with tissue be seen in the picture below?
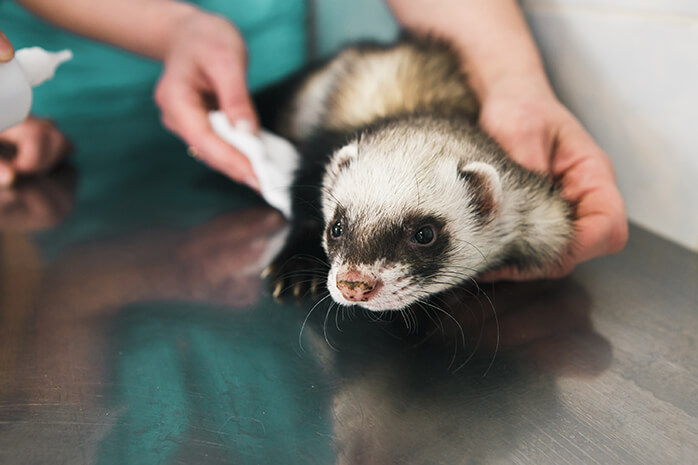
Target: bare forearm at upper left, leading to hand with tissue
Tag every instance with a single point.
(142, 26)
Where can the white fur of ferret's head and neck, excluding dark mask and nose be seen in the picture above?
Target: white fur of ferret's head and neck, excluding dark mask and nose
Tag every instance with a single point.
(417, 169)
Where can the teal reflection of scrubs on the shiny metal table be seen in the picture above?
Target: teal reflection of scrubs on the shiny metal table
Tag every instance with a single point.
(189, 374)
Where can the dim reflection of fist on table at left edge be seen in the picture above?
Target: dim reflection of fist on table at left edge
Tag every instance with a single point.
(41, 202)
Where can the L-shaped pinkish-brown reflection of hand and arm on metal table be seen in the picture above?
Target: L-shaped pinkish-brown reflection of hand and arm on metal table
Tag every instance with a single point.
(217, 263)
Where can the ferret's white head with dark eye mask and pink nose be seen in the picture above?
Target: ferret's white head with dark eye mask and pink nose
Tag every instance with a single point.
(404, 217)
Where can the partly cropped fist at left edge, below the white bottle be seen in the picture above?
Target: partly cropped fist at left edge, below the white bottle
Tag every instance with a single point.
(33, 146)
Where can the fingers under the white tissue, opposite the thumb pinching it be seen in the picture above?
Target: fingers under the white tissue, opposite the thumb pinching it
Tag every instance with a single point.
(184, 114)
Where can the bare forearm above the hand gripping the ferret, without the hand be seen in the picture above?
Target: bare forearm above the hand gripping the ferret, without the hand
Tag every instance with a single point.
(492, 36)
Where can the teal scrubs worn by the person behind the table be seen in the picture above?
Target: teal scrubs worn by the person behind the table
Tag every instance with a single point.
(102, 78)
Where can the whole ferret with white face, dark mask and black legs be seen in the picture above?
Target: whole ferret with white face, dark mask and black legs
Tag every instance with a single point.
(399, 191)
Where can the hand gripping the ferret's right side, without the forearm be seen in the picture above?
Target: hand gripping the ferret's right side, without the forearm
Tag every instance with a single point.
(541, 134)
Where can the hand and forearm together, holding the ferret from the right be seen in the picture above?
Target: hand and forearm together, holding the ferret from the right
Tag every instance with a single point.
(520, 111)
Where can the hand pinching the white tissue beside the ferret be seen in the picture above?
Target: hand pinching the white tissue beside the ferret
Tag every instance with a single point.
(207, 58)
